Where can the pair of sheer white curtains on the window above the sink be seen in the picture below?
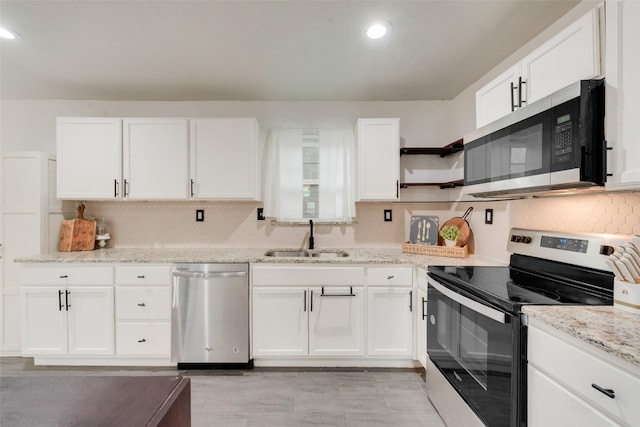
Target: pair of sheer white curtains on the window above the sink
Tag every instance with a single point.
(283, 178)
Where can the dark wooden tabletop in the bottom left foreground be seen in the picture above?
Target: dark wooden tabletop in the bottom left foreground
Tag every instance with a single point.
(95, 401)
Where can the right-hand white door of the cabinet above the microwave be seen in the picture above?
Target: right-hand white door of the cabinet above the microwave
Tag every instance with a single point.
(571, 55)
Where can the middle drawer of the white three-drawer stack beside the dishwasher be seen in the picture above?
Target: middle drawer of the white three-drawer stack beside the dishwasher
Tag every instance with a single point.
(149, 302)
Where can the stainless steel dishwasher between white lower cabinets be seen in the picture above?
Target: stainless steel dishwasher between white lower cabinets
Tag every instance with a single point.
(210, 316)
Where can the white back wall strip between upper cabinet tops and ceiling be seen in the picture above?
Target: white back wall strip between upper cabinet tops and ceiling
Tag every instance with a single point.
(30, 124)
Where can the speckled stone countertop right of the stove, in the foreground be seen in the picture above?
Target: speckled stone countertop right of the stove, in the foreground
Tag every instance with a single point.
(607, 328)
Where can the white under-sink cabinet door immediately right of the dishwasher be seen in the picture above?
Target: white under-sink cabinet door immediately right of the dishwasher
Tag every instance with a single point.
(280, 321)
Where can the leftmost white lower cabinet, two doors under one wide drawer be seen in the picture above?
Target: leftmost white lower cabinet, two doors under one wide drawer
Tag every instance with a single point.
(67, 310)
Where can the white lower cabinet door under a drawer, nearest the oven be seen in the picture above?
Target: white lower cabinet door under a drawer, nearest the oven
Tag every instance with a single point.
(389, 322)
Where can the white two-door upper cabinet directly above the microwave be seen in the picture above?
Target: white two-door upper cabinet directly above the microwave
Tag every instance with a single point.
(570, 56)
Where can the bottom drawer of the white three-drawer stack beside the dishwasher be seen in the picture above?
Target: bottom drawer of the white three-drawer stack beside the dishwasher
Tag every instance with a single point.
(143, 339)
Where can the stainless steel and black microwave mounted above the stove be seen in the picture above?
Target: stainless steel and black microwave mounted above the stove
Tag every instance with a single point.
(555, 144)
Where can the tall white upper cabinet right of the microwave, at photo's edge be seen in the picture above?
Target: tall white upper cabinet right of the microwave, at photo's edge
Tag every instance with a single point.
(622, 93)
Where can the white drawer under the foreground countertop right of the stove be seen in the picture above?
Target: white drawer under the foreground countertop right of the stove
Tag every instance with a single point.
(577, 370)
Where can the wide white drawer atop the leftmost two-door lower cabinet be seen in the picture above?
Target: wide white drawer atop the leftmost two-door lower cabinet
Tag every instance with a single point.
(63, 275)
